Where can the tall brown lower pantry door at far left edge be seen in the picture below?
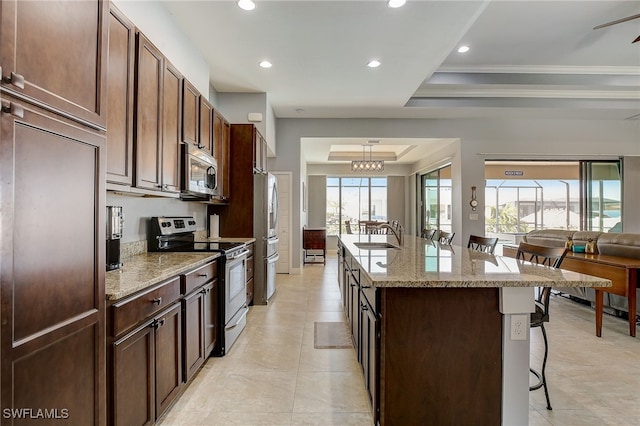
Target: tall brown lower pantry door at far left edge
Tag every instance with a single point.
(52, 287)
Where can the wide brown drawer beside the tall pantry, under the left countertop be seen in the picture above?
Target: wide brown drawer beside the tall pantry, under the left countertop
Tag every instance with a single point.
(130, 312)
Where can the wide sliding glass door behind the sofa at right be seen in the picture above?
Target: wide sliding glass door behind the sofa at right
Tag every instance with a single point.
(521, 196)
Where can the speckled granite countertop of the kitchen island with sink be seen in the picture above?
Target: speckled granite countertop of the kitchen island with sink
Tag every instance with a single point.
(424, 263)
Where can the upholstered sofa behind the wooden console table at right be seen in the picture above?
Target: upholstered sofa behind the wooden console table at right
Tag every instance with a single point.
(622, 245)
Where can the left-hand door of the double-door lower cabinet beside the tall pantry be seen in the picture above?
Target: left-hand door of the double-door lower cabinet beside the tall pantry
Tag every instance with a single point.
(133, 378)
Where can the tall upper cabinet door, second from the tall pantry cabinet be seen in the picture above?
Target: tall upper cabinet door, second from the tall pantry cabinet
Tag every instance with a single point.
(148, 114)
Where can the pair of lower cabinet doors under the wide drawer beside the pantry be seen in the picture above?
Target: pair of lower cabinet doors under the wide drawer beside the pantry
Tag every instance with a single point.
(148, 369)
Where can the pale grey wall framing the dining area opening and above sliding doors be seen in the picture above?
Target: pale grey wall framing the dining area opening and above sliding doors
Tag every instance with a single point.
(479, 139)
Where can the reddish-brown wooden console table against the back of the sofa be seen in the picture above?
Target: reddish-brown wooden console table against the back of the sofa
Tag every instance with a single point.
(622, 271)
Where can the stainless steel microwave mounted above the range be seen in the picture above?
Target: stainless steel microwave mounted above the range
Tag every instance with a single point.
(199, 173)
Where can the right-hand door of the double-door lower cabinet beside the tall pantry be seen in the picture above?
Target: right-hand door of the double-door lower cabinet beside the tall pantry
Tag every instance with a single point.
(168, 358)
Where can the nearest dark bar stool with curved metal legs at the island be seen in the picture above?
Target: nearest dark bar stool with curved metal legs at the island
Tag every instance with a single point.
(553, 257)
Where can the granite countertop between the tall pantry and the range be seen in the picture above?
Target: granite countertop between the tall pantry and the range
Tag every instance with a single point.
(147, 269)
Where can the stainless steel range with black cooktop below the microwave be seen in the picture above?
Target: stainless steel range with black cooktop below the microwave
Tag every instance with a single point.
(178, 234)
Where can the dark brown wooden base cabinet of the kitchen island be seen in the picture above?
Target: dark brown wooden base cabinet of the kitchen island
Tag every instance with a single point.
(421, 360)
